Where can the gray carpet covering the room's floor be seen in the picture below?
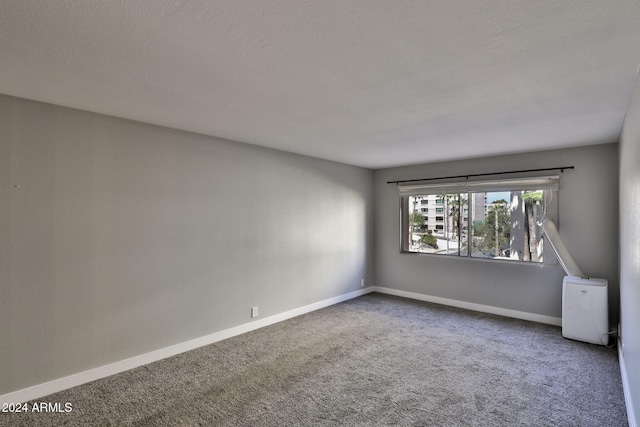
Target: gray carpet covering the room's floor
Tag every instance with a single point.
(374, 360)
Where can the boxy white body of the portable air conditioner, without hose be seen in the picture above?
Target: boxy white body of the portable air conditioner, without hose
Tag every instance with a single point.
(585, 314)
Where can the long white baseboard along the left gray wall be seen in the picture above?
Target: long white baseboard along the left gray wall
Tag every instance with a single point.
(45, 389)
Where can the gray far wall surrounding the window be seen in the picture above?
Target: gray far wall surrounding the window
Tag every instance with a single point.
(588, 224)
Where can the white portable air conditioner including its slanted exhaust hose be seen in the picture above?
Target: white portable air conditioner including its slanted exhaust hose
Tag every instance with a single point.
(585, 314)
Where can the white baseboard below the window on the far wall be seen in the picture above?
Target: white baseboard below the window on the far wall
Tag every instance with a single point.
(556, 321)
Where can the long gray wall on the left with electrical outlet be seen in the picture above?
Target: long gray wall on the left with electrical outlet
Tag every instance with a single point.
(118, 238)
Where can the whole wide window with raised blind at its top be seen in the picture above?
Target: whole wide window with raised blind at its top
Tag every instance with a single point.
(484, 219)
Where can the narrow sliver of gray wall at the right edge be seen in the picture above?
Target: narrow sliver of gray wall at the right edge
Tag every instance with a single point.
(630, 248)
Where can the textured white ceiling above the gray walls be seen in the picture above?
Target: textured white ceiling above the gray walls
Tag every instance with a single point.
(370, 83)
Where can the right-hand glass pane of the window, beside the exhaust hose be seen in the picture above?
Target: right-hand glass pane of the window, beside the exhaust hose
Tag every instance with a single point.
(508, 225)
